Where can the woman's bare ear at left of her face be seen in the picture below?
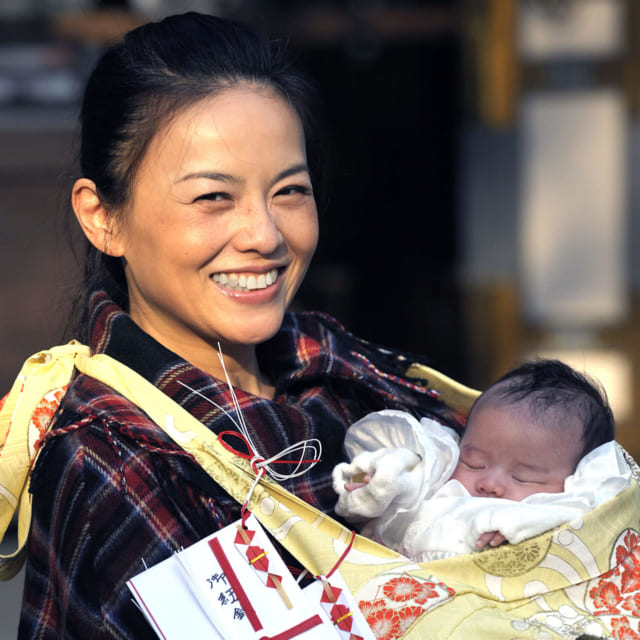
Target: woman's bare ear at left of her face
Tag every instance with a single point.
(96, 222)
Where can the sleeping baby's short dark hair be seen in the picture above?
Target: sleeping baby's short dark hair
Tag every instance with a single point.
(551, 385)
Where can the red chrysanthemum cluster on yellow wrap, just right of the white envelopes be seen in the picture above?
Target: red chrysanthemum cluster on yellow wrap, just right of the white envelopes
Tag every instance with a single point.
(399, 602)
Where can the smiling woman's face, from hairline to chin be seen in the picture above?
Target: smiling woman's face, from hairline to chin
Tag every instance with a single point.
(222, 223)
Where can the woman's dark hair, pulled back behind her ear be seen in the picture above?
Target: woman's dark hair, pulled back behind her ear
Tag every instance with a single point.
(138, 85)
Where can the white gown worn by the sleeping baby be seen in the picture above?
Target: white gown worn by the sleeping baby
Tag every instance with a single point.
(411, 505)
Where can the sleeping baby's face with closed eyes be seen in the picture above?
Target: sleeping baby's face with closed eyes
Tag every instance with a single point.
(506, 453)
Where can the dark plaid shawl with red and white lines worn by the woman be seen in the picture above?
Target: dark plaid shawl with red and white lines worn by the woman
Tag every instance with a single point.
(112, 492)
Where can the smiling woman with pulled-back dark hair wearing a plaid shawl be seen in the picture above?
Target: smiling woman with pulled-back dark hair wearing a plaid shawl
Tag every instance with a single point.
(200, 172)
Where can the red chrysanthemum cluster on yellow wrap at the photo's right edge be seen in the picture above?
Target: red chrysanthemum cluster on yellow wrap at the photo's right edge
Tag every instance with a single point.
(615, 596)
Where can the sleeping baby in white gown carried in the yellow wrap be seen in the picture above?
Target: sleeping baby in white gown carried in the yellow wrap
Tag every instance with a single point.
(538, 449)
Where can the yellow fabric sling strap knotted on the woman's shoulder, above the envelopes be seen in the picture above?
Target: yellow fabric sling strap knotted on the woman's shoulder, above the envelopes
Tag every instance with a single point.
(307, 533)
